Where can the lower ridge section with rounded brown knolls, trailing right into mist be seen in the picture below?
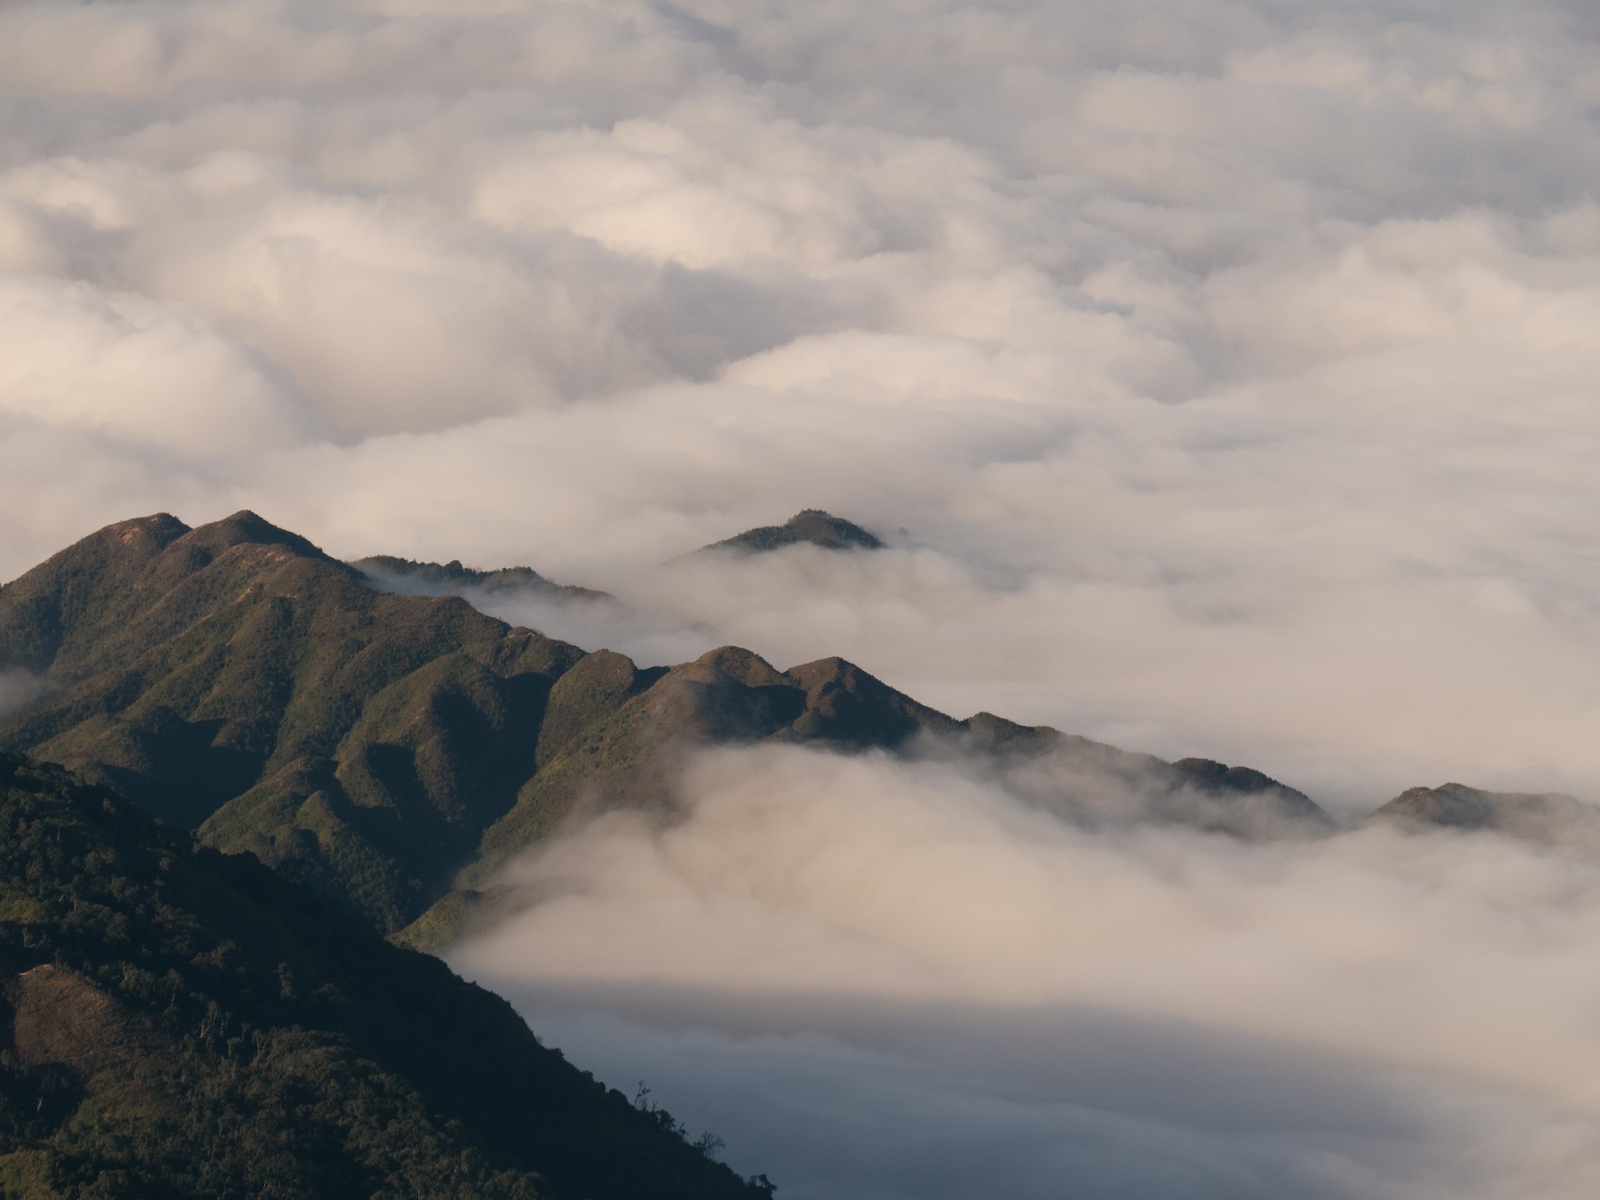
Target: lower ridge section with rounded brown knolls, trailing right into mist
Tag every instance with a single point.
(615, 737)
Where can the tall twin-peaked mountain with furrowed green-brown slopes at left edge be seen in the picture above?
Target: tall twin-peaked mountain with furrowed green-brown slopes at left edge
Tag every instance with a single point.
(236, 676)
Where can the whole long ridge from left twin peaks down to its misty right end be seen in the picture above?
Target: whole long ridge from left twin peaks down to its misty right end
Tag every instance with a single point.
(236, 681)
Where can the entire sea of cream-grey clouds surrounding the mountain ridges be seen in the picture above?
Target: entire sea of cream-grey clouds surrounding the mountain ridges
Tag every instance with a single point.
(1220, 372)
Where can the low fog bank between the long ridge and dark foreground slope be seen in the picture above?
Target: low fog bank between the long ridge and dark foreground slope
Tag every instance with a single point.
(884, 980)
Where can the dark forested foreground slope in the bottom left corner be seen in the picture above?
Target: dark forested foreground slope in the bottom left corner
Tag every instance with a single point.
(178, 1023)
